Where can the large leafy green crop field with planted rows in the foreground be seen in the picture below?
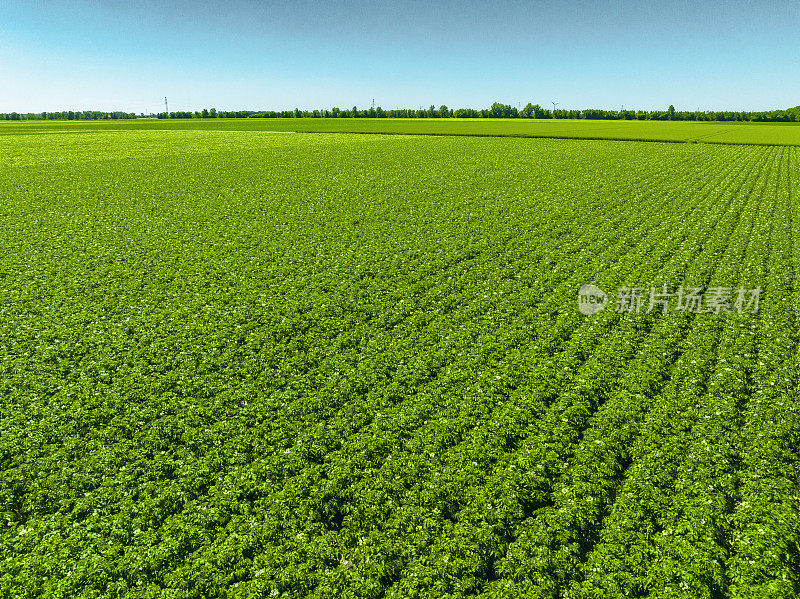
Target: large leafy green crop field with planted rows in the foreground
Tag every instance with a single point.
(251, 365)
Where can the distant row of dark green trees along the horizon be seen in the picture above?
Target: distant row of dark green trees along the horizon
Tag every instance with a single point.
(497, 111)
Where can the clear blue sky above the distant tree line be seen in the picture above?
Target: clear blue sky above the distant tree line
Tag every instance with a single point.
(242, 54)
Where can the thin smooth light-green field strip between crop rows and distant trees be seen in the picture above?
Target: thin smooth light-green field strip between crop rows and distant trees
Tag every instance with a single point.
(696, 132)
